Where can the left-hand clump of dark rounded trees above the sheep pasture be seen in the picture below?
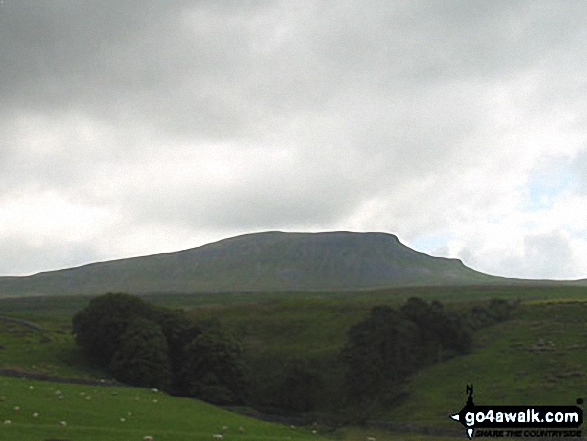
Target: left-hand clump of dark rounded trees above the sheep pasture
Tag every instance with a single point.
(144, 345)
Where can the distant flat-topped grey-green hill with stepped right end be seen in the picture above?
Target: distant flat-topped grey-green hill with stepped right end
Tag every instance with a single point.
(270, 261)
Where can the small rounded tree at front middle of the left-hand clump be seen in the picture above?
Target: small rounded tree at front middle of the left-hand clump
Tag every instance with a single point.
(142, 357)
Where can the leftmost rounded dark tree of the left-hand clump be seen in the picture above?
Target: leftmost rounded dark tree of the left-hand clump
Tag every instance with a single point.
(99, 326)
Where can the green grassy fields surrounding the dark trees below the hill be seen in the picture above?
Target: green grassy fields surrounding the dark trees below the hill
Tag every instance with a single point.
(538, 357)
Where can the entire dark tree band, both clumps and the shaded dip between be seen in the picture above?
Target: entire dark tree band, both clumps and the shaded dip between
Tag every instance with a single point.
(144, 345)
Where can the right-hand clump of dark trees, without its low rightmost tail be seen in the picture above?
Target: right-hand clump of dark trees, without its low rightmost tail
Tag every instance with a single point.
(389, 345)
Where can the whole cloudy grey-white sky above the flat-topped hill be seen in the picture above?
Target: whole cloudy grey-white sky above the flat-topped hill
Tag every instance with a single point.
(137, 127)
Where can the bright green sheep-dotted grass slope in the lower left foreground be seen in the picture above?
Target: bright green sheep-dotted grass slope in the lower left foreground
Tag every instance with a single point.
(94, 413)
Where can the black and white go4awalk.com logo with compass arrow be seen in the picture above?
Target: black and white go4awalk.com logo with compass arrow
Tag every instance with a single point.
(519, 421)
